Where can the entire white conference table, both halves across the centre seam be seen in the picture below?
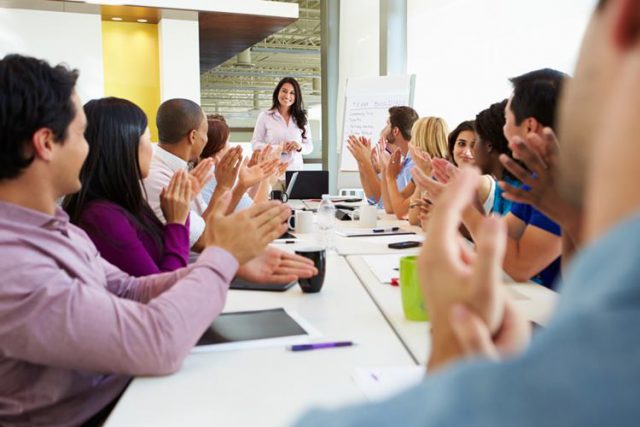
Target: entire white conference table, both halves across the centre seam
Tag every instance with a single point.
(272, 386)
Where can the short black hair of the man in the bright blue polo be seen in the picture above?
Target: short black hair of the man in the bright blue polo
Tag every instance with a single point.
(535, 94)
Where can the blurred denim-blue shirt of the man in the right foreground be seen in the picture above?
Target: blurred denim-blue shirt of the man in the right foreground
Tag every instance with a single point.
(581, 370)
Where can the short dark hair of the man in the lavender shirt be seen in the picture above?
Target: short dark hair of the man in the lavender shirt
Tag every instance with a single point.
(33, 95)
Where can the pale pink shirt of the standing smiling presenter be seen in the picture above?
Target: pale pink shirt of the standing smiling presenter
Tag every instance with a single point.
(271, 128)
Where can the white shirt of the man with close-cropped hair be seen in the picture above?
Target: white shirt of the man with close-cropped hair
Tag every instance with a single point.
(163, 166)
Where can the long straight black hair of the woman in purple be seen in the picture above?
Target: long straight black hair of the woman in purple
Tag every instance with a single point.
(112, 169)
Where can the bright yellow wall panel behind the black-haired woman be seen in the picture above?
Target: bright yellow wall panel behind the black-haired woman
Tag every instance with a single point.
(131, 65)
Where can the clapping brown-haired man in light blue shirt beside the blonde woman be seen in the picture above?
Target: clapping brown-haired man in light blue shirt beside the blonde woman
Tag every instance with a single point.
(372, 161)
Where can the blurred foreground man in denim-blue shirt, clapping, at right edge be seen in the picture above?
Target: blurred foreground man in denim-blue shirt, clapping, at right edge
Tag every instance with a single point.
(583, 368)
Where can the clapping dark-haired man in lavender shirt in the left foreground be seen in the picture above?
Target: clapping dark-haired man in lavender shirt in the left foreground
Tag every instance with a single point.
(73, 328)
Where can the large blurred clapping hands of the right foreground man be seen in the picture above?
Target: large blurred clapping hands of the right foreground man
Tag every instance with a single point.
(467, 301)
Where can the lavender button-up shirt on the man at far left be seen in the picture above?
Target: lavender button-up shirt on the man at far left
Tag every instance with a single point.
(74, 329)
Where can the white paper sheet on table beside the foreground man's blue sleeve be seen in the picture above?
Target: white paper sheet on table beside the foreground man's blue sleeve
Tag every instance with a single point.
(382, 383)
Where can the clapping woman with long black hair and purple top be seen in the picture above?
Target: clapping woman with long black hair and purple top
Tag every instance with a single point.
(110, 206)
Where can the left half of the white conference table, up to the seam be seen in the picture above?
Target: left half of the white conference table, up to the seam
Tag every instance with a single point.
(272, 386)
